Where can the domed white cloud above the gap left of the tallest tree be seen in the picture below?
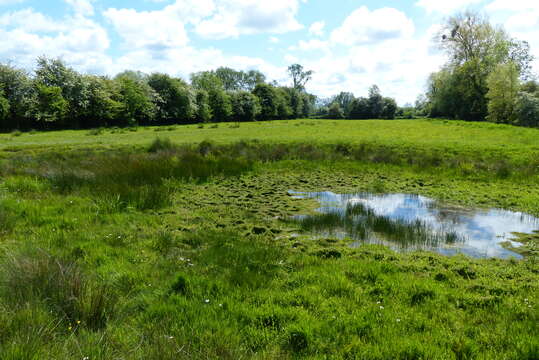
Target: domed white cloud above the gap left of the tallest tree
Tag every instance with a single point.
(370, 27)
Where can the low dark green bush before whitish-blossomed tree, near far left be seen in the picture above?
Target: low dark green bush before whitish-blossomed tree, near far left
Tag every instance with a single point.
(51, 107)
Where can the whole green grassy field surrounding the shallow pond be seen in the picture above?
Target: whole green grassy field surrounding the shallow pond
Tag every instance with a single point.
(115, 249)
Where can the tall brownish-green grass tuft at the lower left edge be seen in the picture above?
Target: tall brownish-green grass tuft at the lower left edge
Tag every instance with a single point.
(39, 278)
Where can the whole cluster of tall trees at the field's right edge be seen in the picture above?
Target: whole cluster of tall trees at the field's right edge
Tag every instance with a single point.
(488, 75)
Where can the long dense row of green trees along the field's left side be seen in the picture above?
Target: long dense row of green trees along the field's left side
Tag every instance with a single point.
(56, 96)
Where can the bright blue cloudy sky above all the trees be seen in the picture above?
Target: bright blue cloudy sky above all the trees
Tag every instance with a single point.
(349, 44)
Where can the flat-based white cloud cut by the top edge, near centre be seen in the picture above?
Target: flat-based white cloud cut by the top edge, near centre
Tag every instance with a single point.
(239, 17)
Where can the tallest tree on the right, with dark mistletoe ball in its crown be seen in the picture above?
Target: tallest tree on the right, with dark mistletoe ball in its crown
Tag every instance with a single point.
(475, 50)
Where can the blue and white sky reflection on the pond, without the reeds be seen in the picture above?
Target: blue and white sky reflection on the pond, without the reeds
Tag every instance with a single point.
(480, 232)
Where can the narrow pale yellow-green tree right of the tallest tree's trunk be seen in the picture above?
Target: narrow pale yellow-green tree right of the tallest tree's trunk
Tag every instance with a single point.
(503, 88)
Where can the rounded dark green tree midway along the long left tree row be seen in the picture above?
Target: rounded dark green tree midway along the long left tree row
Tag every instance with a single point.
(175, 100)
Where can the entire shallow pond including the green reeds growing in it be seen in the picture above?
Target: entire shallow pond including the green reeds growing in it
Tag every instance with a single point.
(411, 222)
